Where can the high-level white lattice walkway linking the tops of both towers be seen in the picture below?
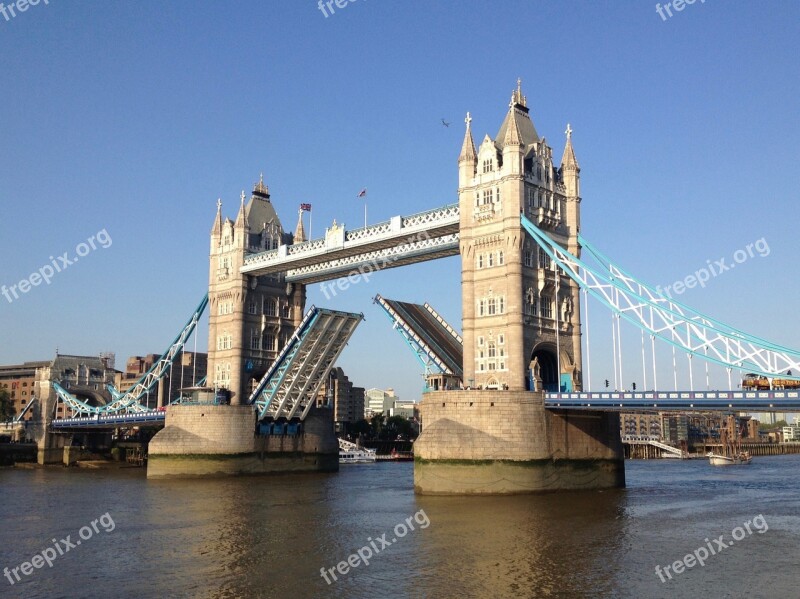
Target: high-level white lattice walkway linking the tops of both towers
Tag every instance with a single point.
(399, 241)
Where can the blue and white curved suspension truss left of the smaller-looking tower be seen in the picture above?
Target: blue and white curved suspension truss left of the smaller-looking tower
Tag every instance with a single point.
(130, 401)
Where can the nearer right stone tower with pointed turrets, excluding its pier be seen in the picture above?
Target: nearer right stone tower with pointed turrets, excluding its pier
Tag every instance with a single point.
(519, 316)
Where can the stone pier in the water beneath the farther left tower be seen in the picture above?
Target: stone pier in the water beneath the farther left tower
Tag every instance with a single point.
(204, 440)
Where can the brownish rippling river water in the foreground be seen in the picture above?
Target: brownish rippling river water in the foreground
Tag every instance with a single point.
(270, 536)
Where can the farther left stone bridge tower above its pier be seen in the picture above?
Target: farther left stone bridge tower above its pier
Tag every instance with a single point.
(250, 318)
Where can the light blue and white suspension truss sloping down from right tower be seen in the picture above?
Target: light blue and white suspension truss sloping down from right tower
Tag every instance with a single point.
(659, 316)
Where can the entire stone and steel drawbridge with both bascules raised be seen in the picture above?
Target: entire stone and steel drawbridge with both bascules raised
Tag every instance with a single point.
(506, 409)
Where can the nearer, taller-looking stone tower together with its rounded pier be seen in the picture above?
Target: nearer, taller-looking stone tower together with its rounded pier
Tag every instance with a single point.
(521, 329)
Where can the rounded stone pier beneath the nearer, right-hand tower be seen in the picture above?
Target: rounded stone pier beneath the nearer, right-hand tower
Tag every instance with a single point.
(495, 442)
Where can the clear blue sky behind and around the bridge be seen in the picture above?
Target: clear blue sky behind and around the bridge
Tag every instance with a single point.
(134, 118)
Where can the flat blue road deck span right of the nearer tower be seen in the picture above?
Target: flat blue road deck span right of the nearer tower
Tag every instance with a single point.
(750, 401)
